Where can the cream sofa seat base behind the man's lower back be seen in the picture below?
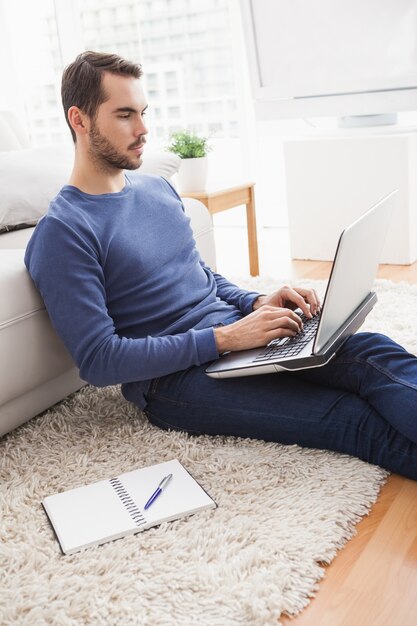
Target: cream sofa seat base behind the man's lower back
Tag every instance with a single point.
(35, 369)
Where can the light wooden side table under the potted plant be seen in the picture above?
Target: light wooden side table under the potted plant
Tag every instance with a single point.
(224, 199)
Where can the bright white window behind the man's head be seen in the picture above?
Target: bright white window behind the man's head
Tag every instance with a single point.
(183, 46)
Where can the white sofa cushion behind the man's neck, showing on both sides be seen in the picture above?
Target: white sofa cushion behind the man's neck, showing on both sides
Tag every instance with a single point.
(29, 180)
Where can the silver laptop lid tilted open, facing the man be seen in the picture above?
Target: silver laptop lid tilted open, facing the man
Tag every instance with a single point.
(353, 274)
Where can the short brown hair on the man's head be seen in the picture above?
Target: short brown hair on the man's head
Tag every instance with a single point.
(81, 81)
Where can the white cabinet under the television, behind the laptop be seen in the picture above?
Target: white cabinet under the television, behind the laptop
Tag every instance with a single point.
(332, 179)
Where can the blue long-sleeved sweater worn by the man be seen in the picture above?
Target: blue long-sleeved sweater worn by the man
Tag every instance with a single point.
(124, 285)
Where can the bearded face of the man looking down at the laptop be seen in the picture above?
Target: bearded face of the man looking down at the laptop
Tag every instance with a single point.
(117, 134)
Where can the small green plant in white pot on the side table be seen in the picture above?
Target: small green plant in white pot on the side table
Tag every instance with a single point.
(192, 149)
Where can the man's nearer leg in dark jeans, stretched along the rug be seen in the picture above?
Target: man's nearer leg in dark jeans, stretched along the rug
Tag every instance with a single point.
(280, 407)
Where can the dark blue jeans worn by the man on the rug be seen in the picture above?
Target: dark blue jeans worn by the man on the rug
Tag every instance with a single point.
(363, 403)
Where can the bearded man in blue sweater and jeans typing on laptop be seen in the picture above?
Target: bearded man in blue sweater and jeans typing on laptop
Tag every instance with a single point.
(125, 288)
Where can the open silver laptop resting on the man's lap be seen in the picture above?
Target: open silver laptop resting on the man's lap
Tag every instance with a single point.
(347, 301)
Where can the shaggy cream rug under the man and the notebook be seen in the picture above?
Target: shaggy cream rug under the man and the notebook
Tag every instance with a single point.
(281, 512)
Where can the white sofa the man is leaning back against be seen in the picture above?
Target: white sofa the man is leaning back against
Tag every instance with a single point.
(35, 369)
